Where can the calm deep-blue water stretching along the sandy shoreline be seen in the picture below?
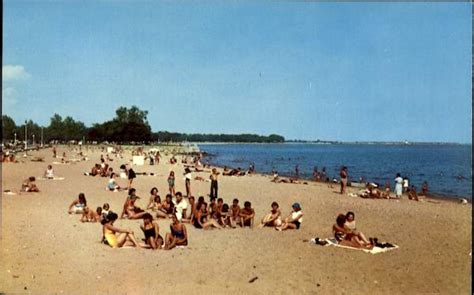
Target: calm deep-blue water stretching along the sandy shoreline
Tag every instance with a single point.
(447, 168)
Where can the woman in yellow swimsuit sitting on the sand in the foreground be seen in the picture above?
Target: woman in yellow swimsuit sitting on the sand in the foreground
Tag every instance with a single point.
(124, 237)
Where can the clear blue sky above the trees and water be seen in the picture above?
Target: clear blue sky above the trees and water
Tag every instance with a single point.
(305, 70)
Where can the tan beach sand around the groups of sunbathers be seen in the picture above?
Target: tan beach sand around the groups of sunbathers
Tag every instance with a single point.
(46, 250)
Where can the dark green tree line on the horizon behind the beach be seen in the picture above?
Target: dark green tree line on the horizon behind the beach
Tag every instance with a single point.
(130, 125)
